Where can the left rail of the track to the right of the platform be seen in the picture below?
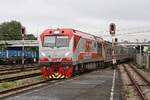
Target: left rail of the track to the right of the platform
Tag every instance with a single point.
(137, 87)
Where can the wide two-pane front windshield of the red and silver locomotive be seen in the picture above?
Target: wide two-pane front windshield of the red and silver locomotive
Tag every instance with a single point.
(56, 41)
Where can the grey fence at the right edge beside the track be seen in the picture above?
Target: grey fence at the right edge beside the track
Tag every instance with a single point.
(143, 60)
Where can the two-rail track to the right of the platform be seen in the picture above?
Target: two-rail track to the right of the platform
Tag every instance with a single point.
(134, 78)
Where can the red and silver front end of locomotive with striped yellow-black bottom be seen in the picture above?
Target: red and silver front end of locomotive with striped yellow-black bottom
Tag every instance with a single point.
(56, 53)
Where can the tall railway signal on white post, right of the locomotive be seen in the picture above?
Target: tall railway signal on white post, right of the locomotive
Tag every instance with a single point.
(112, 31)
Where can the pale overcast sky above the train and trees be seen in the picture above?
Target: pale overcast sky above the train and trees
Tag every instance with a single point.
(91, 16)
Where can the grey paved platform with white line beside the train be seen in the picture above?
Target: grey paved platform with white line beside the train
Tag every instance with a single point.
(95, 85)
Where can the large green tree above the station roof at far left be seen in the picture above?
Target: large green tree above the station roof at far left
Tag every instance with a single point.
(10, 30)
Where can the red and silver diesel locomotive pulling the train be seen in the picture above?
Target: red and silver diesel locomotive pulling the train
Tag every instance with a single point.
(65, 52)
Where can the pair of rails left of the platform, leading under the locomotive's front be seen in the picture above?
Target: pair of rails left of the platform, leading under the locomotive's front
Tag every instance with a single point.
(17, 79)
